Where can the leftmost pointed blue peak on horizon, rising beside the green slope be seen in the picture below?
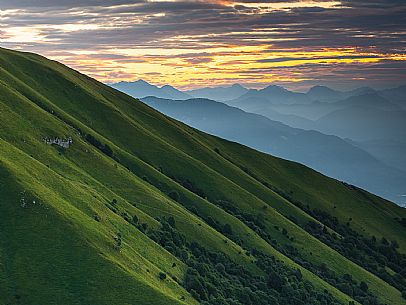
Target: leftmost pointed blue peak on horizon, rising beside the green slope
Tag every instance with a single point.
(141, 88)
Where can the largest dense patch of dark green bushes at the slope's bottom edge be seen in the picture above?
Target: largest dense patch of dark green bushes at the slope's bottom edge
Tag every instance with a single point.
(213, 279)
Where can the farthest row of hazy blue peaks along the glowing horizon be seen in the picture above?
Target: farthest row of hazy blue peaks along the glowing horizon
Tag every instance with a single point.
(272, 94)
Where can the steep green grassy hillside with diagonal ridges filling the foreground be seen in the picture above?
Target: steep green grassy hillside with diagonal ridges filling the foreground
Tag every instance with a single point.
(104, 200)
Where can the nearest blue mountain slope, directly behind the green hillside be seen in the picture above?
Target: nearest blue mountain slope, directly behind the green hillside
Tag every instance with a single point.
(329, 154)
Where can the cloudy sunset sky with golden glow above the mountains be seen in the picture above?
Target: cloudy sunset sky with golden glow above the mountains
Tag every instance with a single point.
(190, 44)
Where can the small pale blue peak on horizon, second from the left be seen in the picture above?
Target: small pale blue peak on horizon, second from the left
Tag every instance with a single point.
(219, 93)
